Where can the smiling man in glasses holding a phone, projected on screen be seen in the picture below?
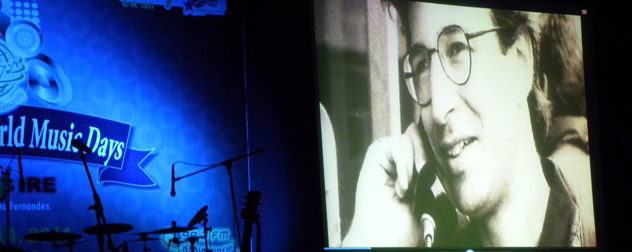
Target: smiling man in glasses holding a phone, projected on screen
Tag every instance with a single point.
(484, 115)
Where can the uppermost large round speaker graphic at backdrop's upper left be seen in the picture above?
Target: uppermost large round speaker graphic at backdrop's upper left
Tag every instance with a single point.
(24, 38)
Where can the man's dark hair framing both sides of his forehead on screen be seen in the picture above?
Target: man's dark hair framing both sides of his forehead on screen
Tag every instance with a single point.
(515, 24)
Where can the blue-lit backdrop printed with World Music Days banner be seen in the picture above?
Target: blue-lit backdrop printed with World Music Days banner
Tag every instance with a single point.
(143, 86)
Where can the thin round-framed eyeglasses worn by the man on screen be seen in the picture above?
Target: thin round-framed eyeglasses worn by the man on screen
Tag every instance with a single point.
(455, 55)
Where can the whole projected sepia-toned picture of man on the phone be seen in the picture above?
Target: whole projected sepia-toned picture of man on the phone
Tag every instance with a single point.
(452, 126)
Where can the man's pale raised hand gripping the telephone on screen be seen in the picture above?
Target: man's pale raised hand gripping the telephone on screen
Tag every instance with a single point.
(383, 214)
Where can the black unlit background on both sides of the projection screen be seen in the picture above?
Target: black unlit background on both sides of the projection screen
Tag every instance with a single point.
(282, 117)
